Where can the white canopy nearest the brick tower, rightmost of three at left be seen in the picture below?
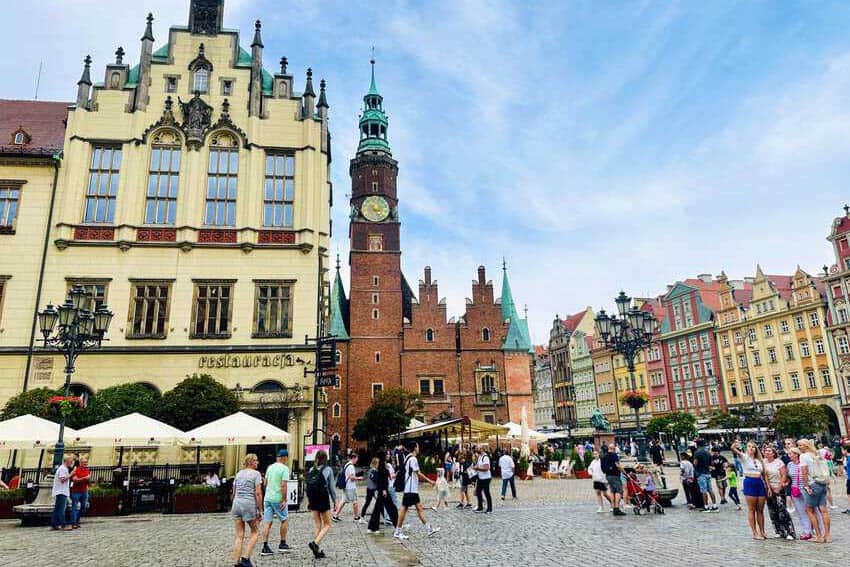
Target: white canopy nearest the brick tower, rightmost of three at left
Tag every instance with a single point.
(237, 429)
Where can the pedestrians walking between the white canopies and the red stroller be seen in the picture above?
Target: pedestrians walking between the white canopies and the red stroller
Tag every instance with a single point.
(391, 474)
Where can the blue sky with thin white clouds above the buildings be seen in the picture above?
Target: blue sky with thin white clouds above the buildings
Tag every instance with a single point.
(595, 145)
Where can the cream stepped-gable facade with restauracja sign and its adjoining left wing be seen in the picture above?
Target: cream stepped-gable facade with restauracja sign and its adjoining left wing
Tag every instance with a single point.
(193, 199)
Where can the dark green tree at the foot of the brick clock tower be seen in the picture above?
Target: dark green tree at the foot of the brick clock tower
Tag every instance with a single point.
(389, 414)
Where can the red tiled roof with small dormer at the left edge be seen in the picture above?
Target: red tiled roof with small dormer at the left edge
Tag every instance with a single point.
(43, 122)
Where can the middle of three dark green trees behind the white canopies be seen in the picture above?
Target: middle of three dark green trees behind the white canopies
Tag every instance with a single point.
(118, 401)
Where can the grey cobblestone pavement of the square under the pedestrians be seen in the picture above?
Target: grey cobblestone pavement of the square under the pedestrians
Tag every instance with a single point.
(553, 522)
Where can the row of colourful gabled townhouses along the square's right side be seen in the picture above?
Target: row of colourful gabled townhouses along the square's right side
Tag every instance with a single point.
(766, 340)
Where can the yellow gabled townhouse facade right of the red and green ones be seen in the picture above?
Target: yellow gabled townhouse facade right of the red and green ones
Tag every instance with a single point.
(773, 344)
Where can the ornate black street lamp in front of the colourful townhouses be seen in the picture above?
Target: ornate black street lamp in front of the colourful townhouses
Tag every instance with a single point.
(628, 335)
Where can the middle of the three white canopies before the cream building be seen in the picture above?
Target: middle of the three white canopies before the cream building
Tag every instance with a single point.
(130, 430)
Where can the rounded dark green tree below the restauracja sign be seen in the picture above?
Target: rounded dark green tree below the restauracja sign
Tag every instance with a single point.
(197, 400)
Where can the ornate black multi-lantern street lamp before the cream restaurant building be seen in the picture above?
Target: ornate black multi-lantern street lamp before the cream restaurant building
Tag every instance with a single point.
(80, 328)
